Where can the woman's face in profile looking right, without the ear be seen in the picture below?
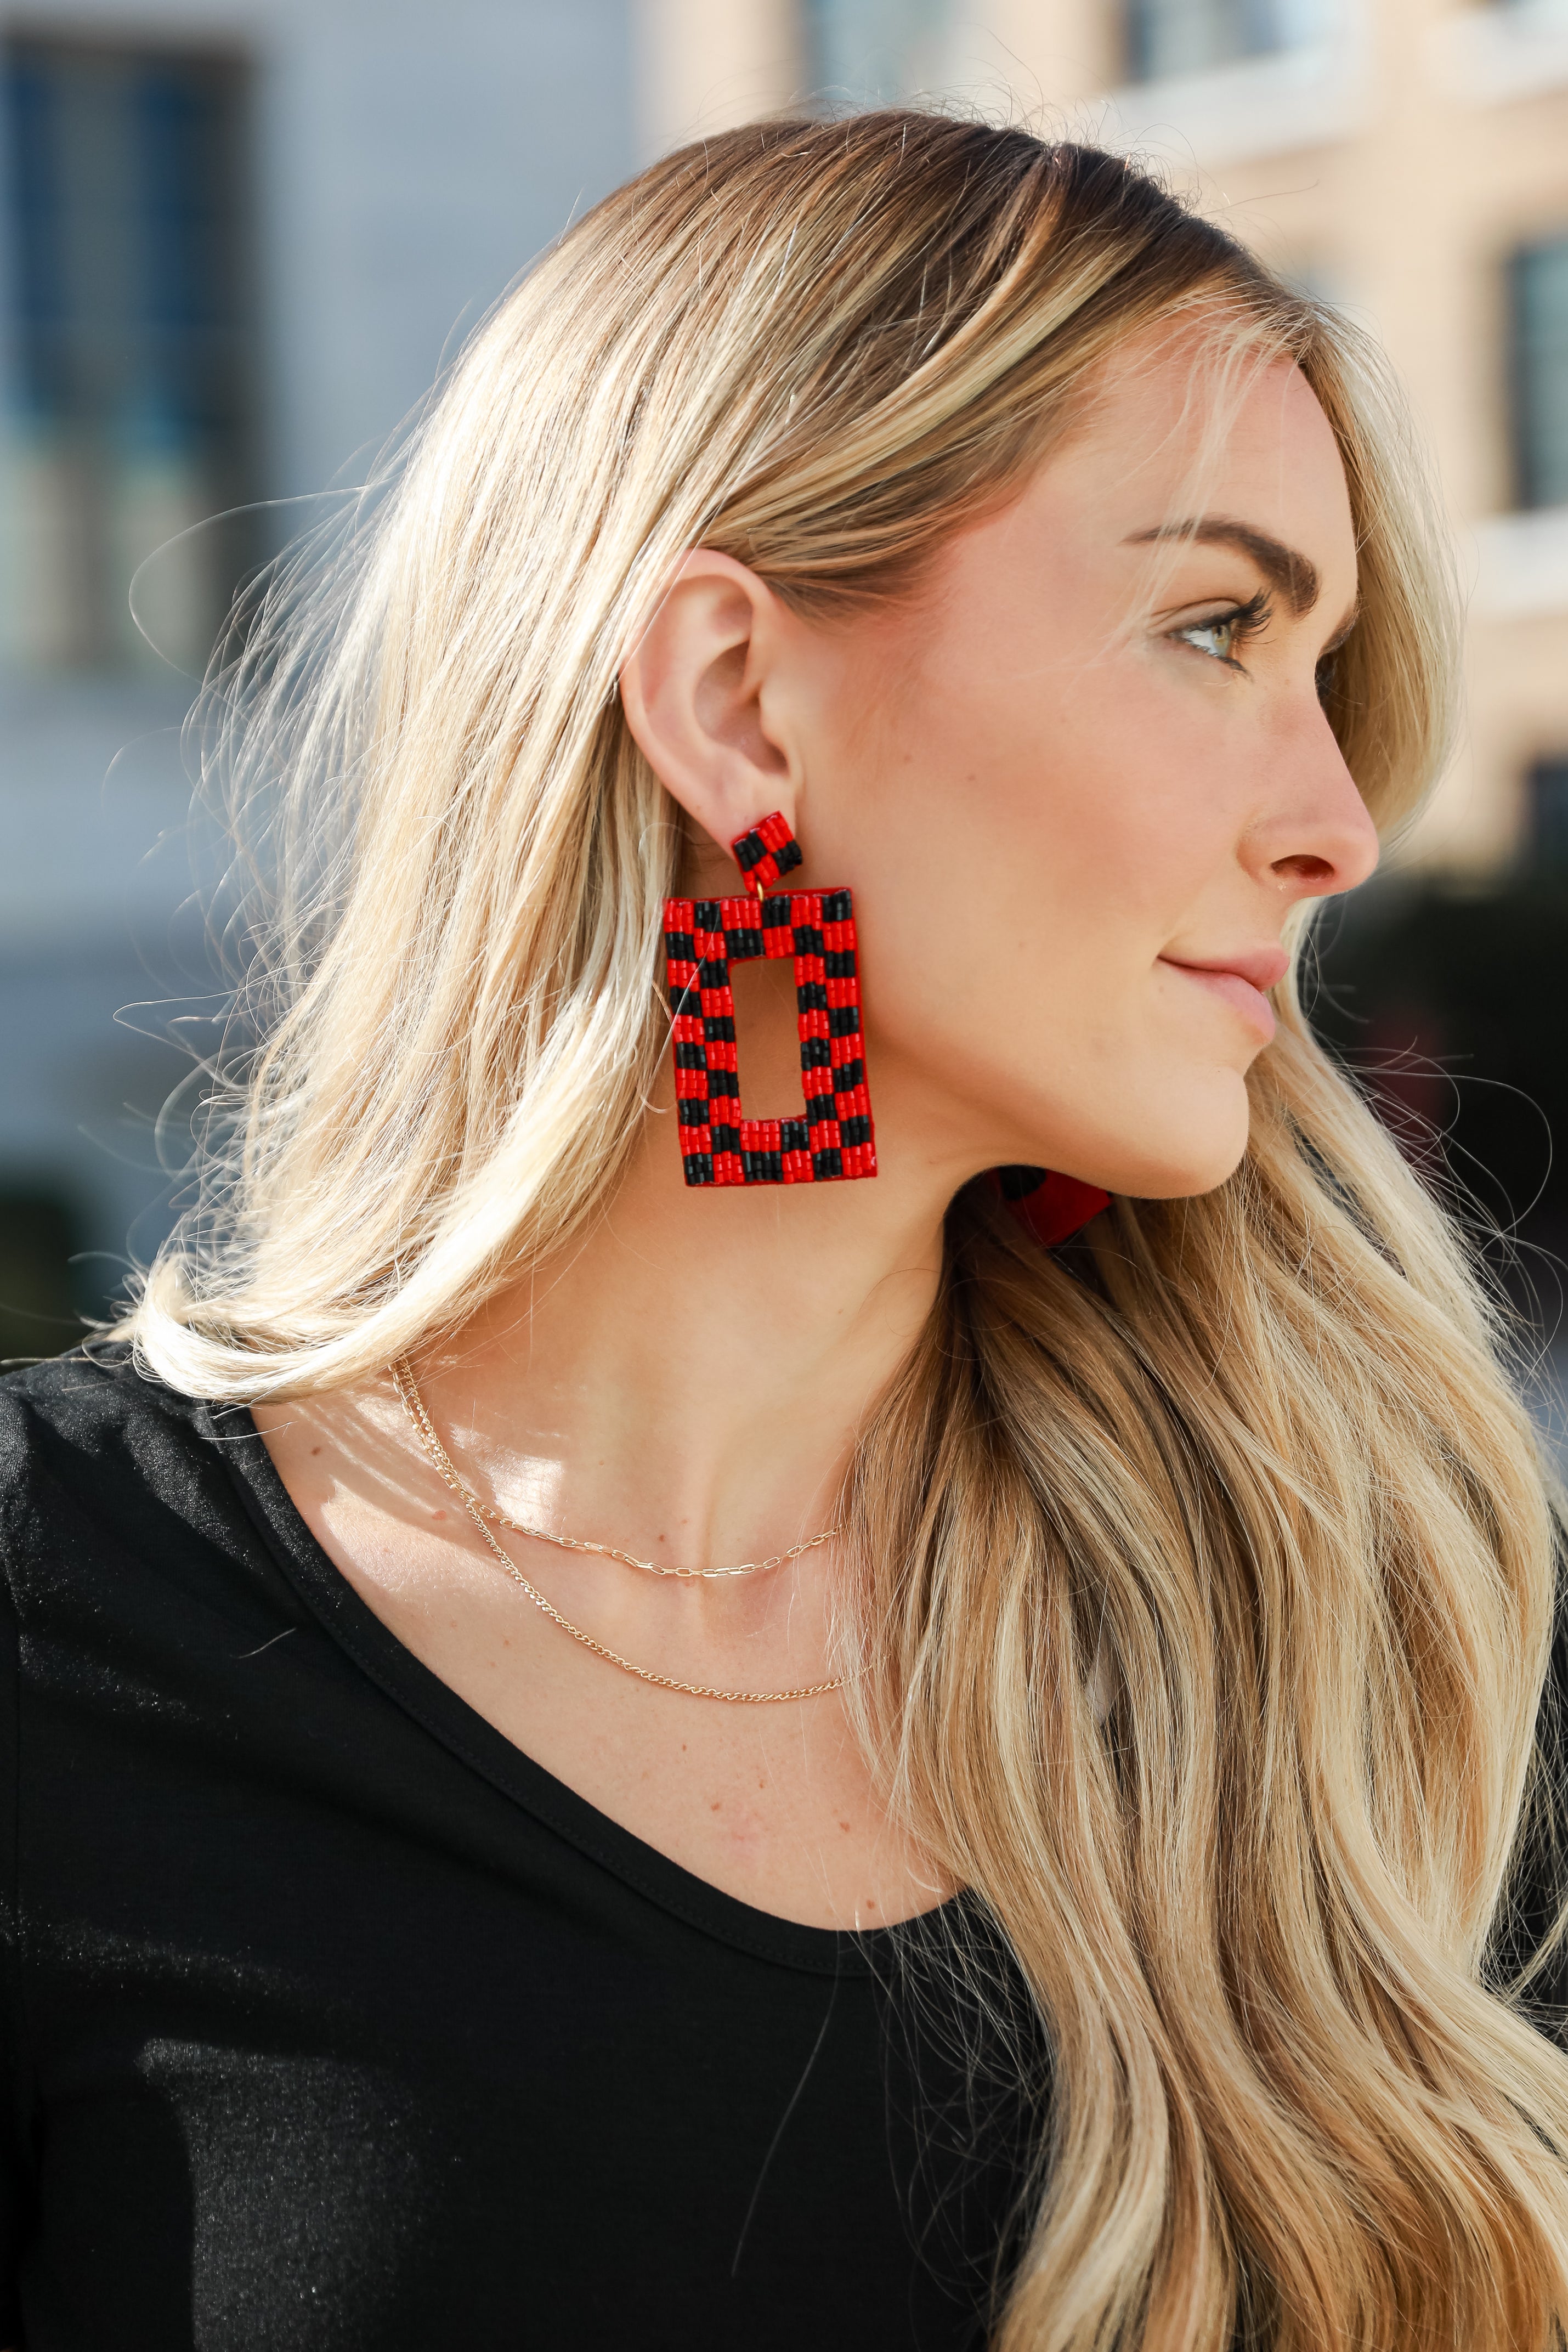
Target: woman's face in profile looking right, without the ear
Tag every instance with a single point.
(1080, 782)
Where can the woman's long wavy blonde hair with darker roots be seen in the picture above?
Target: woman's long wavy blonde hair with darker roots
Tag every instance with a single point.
(1205, 1589)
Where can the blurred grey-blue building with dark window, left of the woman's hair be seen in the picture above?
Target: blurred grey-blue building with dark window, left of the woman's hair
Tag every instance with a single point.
(382, 171)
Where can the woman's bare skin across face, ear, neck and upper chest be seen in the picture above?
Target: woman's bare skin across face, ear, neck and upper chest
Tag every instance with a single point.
(1078, 806)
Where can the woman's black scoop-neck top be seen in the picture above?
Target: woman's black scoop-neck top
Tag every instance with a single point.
(333, 2024)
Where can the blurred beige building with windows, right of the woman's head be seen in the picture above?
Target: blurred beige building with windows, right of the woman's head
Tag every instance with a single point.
(1402, 159)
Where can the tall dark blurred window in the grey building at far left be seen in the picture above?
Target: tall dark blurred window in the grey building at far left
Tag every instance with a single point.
(128, 349)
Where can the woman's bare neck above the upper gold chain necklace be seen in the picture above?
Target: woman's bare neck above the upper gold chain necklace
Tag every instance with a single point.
(690, 1377)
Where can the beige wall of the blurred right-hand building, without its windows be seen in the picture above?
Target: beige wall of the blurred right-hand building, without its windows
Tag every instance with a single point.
(1393, 168)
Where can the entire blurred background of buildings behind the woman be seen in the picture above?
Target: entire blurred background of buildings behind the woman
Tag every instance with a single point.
(239, 239)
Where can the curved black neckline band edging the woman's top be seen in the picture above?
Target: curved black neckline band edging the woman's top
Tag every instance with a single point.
(483, 1749)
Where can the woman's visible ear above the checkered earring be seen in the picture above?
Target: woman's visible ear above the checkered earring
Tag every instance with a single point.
(699, 693)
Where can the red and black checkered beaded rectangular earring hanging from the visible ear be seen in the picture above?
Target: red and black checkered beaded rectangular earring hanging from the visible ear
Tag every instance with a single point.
(817, 930)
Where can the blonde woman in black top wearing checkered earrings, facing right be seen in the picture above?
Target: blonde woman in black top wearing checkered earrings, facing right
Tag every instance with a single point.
(688, 1758)
